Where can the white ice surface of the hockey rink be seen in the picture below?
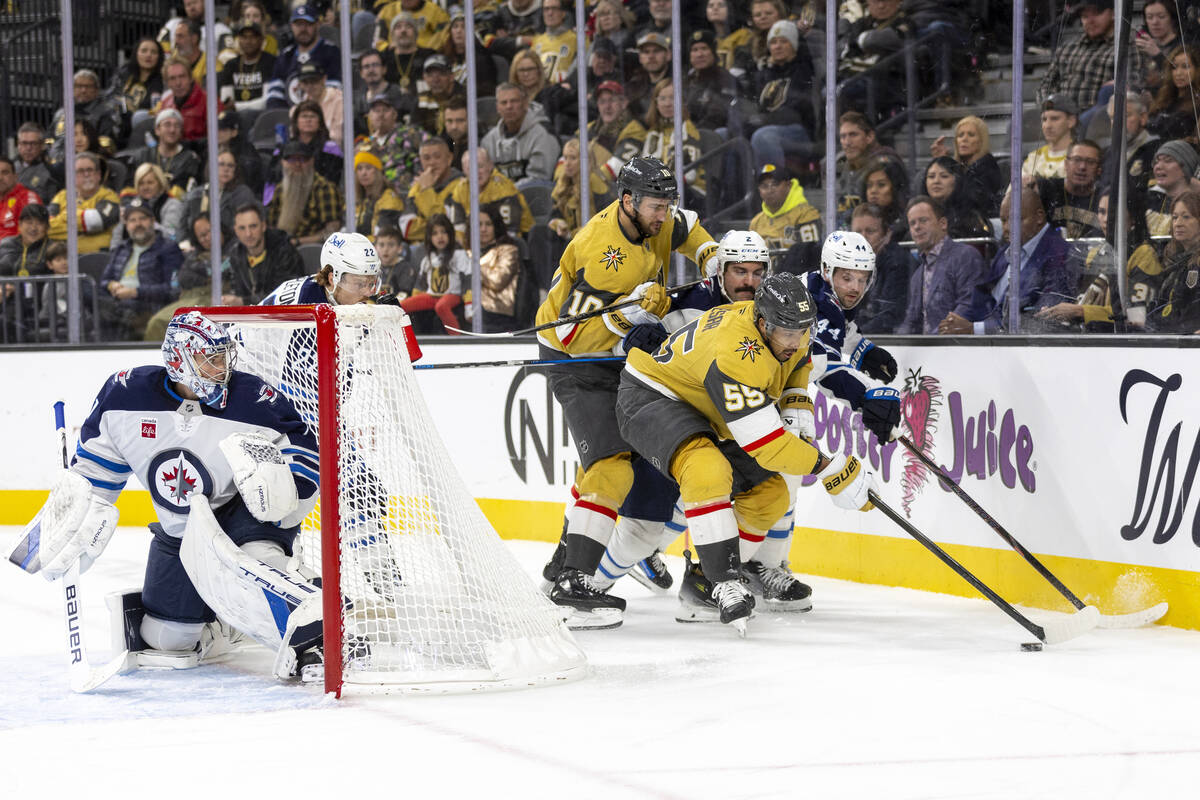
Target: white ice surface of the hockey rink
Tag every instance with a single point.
(875, 694)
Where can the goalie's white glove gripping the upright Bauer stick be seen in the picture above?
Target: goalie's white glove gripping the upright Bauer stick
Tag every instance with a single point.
(74, 526)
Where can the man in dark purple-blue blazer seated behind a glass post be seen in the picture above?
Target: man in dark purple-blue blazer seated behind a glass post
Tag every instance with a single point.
(1046, 275)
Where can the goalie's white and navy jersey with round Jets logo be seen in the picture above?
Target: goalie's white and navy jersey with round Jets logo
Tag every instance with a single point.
(140, 426)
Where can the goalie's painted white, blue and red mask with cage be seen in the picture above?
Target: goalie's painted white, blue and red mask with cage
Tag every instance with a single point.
(201, 356)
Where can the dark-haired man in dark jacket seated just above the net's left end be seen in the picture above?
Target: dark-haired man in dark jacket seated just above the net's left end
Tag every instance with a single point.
(260, 261)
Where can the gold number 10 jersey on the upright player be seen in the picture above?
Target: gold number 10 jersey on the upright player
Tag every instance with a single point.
(601, 266)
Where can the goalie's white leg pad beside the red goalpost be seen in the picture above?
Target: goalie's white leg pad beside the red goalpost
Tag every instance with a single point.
(248, 594)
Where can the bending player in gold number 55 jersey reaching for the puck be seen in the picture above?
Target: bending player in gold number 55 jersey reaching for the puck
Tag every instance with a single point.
(717, 378)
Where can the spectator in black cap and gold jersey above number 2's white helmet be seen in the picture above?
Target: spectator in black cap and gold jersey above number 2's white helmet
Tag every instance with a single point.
(788, 221)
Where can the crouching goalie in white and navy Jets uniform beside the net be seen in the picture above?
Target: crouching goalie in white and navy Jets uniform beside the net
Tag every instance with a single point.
(232, 471)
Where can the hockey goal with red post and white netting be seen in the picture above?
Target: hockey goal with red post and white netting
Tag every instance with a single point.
(421, 593)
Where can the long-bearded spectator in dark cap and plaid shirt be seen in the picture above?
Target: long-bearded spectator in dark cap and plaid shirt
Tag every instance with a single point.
(305, 206)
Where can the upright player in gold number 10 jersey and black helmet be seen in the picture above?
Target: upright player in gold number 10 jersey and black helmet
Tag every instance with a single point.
(620, 255)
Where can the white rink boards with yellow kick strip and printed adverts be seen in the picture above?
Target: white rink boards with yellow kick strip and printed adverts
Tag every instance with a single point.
(1088, 455)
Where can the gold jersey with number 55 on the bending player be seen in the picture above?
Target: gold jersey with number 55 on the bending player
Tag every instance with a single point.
(721, 365)
